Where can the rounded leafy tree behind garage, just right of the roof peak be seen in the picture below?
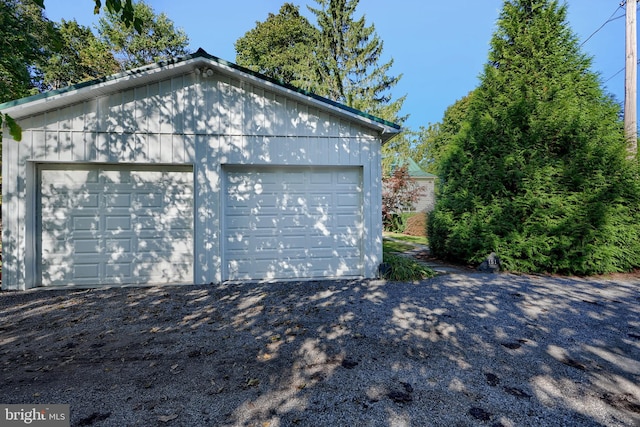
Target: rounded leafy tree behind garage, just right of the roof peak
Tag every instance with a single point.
(281, 47)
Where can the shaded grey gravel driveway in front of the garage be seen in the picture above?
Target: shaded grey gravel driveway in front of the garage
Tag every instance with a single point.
(457, 350)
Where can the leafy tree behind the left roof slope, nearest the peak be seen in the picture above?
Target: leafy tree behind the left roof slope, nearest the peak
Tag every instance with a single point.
(157, 39)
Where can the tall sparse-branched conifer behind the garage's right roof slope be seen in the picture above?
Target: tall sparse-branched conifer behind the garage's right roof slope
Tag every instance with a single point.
(349, 61)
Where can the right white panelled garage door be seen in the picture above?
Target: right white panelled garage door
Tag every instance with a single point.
(291, 223)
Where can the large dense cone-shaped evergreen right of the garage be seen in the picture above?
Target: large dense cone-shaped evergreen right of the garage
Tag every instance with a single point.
(537, 172)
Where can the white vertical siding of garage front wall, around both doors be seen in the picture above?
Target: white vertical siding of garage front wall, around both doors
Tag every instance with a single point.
(206, 121)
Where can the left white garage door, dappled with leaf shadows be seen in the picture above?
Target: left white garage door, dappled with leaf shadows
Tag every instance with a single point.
(104, 225)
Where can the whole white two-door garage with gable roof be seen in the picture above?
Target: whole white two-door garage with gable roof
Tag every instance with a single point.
(189, 171)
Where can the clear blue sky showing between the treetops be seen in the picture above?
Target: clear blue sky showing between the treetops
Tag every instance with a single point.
(439, 47)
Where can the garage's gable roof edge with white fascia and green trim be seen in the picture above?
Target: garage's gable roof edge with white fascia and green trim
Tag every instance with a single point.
(79, 92)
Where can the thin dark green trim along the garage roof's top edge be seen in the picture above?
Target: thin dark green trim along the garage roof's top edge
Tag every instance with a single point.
(200, 53)
